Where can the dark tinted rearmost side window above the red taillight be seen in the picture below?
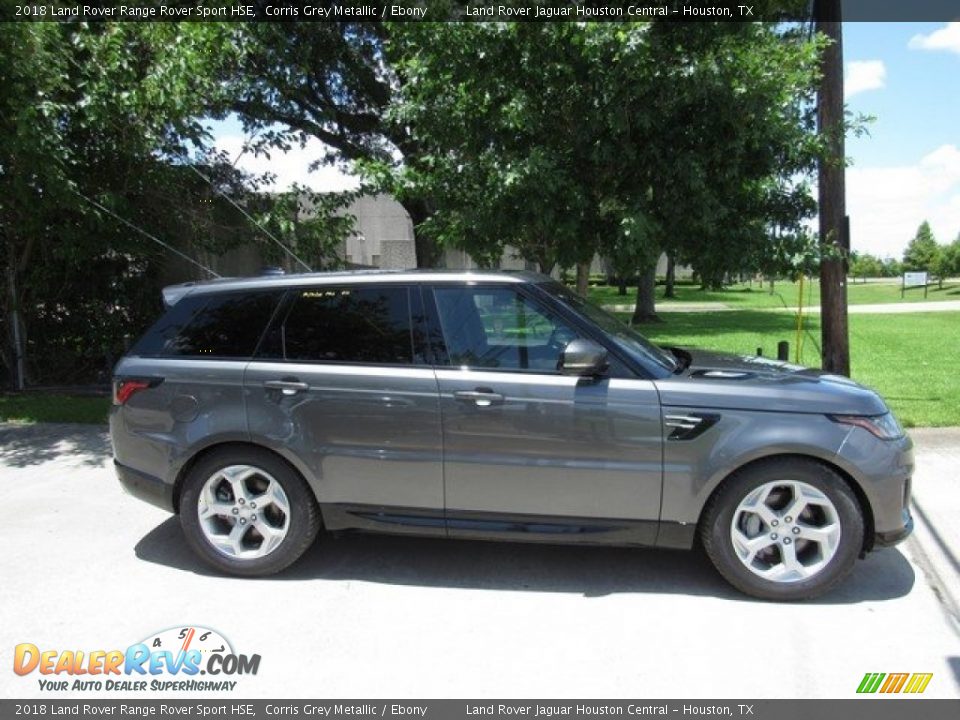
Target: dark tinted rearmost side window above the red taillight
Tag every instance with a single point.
(222, 325)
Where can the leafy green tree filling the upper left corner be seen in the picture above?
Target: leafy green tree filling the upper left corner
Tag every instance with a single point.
(91, 112)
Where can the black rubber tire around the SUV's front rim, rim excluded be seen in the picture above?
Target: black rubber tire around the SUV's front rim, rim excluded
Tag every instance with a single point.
(719, 517)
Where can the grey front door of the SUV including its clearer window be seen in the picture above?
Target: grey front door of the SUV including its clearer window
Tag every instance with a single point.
(531, 453)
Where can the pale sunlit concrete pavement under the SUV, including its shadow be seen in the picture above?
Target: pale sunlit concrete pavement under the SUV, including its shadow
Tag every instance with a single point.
(87, 567)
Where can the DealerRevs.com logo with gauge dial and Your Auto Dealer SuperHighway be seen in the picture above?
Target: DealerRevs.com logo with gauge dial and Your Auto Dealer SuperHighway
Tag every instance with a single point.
(169, 660)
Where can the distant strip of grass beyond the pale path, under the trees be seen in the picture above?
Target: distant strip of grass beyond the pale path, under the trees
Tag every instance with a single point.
(785, 294)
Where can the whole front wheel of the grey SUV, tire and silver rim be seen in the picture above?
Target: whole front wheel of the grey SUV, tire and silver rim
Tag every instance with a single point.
(784, 529)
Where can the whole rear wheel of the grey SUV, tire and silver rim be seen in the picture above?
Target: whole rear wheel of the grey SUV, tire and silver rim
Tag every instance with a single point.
(245, 512)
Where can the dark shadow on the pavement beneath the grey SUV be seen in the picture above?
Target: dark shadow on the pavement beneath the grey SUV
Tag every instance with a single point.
(524, 567)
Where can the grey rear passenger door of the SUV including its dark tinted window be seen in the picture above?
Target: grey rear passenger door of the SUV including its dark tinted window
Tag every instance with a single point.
(340, 384)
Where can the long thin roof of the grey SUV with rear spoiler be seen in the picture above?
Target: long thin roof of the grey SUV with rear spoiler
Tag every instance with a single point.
(172, 294)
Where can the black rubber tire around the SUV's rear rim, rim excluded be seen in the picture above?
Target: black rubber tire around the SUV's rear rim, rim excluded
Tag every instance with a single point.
(304, 517)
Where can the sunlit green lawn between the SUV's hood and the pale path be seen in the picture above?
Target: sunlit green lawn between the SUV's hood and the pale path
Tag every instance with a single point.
(913, 360)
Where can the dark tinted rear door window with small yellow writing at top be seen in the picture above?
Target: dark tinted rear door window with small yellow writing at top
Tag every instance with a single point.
(345, 324)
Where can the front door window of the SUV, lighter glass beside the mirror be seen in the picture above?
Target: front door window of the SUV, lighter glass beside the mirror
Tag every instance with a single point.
(498, 328)
